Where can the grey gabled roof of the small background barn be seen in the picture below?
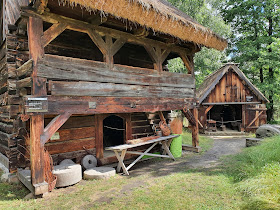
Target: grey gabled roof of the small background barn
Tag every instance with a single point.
(213, 79)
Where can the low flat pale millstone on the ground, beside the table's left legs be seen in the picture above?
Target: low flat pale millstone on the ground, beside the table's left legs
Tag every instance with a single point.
(99, 173)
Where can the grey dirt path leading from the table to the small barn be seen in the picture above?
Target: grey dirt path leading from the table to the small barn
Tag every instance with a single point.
(222, 146)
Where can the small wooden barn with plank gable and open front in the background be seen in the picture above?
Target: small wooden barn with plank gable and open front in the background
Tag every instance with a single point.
(229, 101)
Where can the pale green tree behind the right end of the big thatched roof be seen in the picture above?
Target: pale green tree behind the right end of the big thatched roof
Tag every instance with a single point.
(206, 13)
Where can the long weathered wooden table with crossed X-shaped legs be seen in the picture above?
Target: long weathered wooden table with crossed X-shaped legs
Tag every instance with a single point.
(121, 150)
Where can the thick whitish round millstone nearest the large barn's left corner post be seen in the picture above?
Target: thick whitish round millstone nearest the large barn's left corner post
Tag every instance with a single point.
(67, 174)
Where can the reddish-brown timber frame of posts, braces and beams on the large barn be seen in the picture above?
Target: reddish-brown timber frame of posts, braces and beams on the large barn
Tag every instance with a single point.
(38, 39)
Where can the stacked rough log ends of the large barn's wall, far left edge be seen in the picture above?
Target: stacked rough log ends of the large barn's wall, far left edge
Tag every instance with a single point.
(10, 123)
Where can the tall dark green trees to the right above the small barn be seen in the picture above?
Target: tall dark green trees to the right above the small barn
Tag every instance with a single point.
(256, 29)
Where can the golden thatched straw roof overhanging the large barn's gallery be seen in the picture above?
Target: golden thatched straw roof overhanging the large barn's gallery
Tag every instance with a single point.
(158, 15)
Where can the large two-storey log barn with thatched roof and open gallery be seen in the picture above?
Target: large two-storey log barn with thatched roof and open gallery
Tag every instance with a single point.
(79, 75)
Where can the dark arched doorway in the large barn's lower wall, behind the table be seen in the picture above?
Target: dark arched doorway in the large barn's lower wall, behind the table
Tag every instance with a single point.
(113, 131)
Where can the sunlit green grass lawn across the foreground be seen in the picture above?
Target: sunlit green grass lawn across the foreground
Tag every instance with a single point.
(250, 180)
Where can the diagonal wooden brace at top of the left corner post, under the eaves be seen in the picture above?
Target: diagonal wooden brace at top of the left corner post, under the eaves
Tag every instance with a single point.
(54, 31)
